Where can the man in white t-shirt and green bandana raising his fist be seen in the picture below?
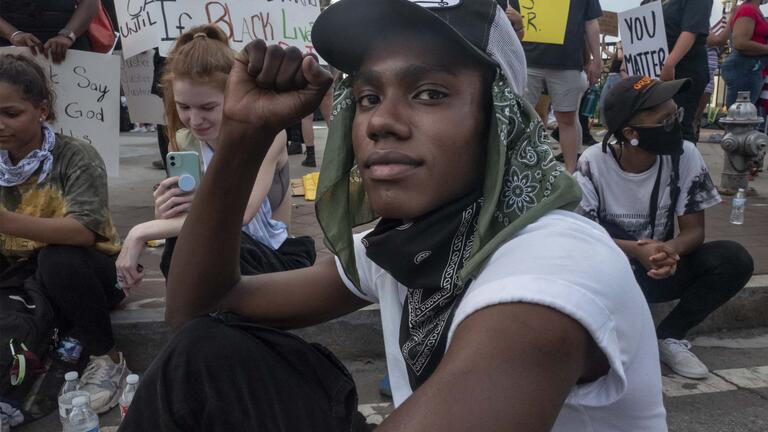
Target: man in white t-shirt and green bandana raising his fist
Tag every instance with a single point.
(471, 262)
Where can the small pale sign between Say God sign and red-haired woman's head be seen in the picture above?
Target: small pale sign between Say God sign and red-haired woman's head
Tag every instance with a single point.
(136, 79)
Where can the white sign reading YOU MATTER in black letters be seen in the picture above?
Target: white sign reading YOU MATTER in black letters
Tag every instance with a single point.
(644, 39)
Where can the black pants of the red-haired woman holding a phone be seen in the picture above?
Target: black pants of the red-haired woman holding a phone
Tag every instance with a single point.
(258, 258)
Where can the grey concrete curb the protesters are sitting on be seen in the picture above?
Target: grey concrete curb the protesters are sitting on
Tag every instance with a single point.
(142, 333)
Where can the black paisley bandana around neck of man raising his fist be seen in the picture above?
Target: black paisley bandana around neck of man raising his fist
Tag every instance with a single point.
(426, 256)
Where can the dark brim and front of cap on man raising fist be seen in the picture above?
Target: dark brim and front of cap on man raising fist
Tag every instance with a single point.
(345, 31)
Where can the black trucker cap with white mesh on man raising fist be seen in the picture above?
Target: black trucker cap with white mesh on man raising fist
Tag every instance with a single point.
(344, 32)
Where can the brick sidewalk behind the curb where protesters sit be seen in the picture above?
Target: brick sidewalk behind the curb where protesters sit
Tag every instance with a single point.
(131, 198)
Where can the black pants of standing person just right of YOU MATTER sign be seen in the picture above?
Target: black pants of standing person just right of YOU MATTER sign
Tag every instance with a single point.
(695, 66)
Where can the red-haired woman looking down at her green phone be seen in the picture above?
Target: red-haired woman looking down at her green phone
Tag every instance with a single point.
(194, 78)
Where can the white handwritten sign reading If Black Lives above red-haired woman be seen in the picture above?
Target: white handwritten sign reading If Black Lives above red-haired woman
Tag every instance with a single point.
(146, 24)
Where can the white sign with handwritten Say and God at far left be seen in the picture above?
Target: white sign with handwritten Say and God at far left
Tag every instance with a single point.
(87, 99)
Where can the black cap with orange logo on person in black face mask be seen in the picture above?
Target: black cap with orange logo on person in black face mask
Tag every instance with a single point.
(634, 94)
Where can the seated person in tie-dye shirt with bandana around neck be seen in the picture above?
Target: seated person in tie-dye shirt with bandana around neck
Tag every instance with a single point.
(55, 222)
